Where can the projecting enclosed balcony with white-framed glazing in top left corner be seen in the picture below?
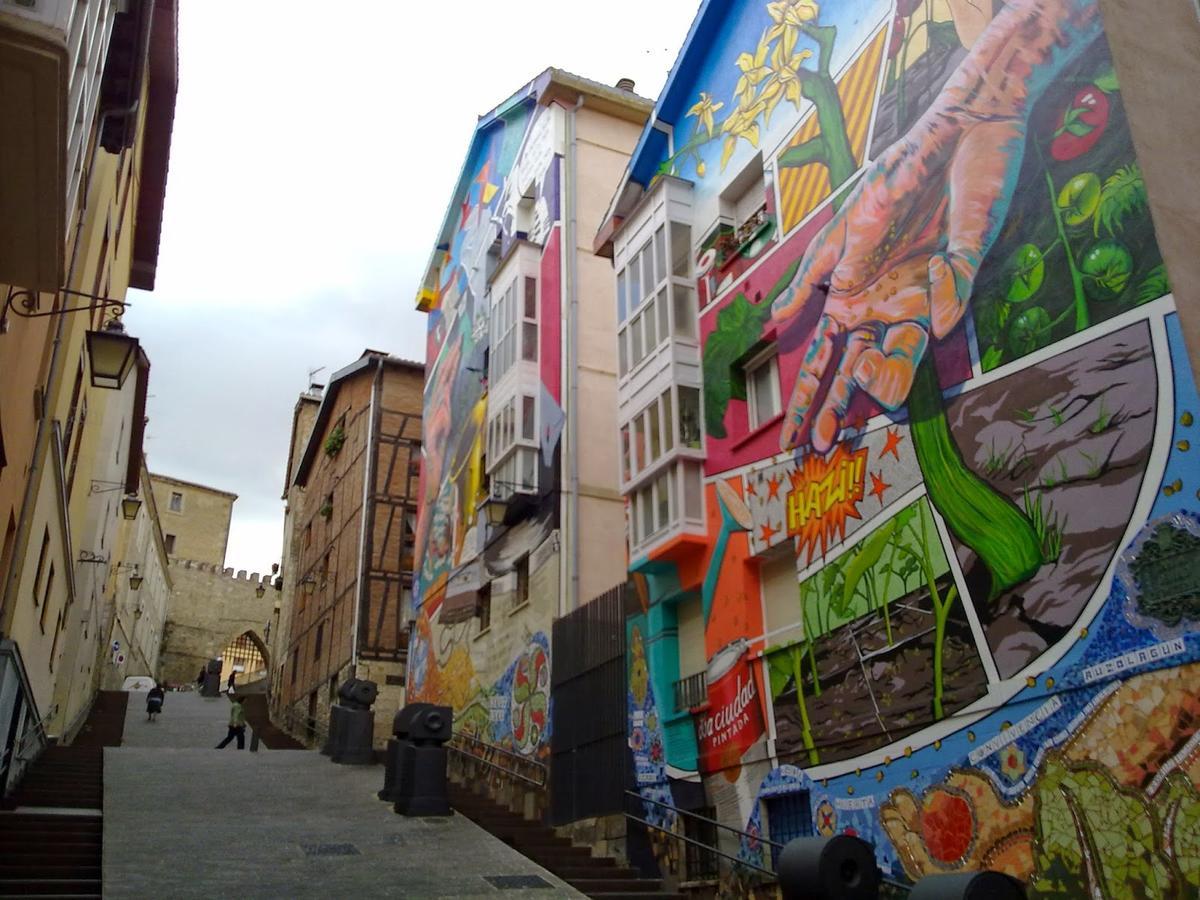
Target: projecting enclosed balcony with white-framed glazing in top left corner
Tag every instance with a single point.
(52, 57)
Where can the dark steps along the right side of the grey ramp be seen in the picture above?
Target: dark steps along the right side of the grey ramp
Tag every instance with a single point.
(595, 877)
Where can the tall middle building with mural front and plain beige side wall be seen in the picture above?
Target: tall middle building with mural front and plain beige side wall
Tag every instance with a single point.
(520, 399)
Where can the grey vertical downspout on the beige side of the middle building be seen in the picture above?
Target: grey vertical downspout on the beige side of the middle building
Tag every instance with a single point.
(572, 286)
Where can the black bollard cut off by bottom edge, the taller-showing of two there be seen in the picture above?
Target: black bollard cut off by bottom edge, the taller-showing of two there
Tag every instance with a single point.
(837, 868)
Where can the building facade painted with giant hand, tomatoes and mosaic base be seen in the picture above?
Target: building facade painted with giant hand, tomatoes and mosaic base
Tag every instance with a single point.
(908, 434)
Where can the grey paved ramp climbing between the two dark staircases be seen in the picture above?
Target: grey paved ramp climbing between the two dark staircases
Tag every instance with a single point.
(185, 821)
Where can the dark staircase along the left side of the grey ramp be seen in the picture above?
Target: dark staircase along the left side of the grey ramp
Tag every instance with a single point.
(51, 830)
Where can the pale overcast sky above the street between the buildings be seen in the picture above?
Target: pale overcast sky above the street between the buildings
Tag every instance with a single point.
(311, 165)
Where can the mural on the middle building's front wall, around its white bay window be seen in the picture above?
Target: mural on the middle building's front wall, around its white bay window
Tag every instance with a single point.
(500, 689)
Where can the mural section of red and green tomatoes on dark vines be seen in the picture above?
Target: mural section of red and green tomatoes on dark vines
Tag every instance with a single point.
(1090, 251)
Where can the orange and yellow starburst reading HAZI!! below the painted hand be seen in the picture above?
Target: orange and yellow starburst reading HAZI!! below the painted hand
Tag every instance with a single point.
(825, 496)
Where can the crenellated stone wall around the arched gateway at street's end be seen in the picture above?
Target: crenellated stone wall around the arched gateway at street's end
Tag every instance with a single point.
(209, 608)
